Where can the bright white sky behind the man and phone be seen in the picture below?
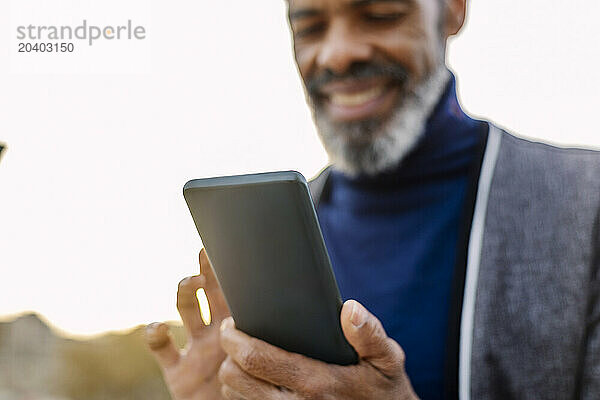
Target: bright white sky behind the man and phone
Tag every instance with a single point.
(94, 231)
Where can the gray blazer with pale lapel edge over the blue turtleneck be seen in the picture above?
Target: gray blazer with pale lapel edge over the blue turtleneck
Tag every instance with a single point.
(530, 322)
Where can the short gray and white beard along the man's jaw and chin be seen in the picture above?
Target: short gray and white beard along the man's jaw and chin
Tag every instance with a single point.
(390, 140)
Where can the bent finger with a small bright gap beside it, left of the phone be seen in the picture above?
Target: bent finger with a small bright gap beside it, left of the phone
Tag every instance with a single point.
(187, 304)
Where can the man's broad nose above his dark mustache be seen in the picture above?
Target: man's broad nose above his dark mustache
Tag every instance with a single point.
(341, 48)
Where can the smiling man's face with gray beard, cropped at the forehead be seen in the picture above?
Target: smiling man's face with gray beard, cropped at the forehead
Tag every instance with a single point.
(365, 65)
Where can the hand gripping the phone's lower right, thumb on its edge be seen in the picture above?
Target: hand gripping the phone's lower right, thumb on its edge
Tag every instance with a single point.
(255, 369)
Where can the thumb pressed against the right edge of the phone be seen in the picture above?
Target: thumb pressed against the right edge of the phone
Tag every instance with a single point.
(366, 334)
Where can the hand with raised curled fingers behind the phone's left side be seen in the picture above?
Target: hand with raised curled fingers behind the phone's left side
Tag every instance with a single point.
(192, 374)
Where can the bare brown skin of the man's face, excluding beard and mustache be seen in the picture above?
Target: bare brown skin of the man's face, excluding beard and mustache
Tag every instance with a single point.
(334, 35)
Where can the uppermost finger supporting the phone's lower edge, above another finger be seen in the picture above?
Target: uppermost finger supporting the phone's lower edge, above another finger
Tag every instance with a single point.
(269, 363)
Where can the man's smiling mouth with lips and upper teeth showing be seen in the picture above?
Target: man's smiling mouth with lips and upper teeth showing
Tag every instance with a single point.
(347, 101)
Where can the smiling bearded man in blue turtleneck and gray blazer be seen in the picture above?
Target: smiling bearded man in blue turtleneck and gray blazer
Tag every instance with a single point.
(472, 255)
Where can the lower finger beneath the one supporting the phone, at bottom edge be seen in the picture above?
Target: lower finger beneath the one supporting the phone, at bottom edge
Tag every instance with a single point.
(231, 375)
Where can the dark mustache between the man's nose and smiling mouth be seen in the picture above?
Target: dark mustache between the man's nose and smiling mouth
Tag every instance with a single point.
(393, 71)
